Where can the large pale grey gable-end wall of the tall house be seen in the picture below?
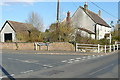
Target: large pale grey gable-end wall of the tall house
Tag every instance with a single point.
(81, 19)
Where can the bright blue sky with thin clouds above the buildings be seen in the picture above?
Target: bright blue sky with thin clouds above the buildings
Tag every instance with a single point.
(19, 11)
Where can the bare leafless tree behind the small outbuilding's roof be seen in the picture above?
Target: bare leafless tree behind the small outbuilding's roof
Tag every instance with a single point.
(35, 20)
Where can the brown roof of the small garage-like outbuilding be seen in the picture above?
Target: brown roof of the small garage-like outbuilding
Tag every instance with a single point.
(18, 26)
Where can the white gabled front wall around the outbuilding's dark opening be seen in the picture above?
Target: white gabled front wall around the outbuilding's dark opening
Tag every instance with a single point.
(7, 29)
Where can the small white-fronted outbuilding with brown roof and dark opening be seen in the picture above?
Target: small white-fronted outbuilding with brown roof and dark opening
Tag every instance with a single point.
(15, 31)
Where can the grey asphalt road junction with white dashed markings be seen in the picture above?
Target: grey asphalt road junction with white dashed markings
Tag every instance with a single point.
(60, 66)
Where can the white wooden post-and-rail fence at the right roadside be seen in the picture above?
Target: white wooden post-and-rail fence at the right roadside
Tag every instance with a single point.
(96, 48)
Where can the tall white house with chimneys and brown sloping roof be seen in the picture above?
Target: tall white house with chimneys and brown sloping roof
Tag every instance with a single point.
(88, 23)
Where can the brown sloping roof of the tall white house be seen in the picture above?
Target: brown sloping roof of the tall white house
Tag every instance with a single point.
(97, 19)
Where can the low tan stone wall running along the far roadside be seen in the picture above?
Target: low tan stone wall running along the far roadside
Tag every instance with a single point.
(56, 46)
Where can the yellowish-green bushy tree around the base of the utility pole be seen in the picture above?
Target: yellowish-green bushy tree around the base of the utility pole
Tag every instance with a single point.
(61, 34)
